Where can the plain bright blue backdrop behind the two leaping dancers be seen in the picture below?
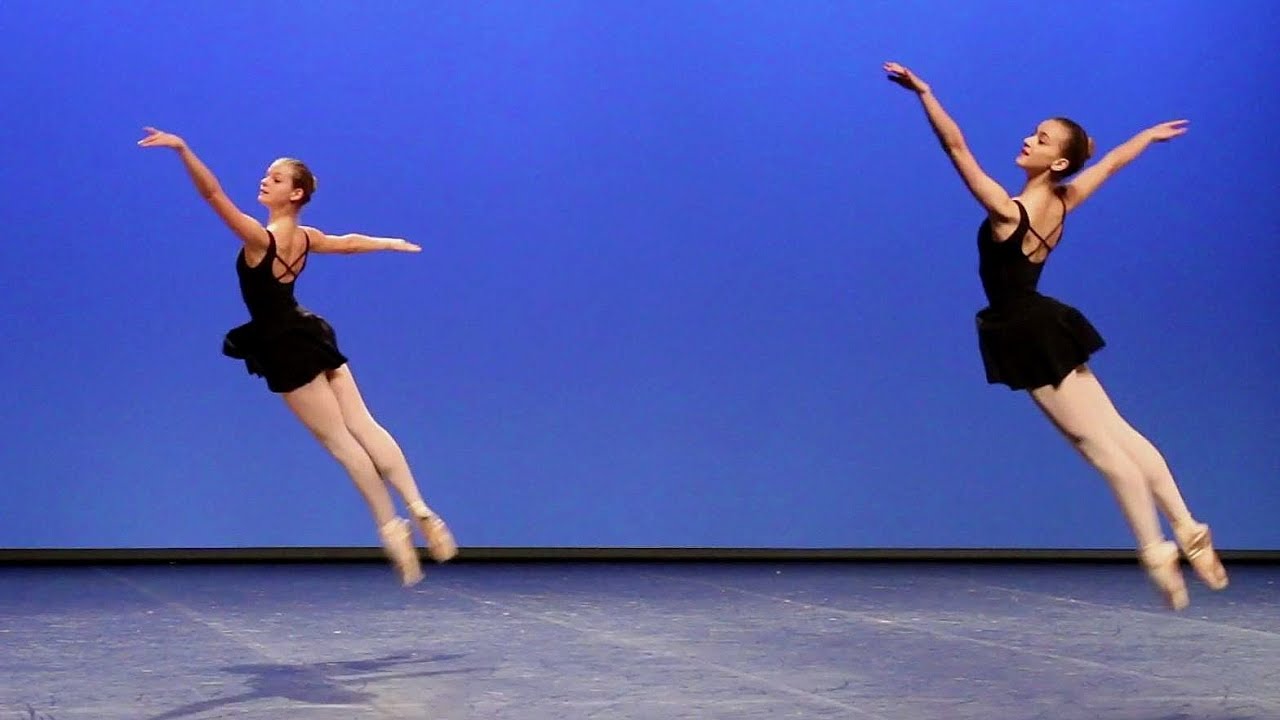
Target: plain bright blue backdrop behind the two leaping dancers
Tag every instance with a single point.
(694, 272)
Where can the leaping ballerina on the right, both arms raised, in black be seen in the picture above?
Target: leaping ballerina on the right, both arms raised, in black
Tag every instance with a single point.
(1036, 344)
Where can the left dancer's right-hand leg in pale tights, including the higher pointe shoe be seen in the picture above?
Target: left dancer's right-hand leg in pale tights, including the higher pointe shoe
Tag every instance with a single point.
(390, 462)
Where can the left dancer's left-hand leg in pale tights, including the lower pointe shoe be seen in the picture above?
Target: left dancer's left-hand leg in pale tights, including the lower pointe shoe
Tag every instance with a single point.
(317, 407)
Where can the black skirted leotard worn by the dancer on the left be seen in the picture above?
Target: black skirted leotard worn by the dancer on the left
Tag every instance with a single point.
(285, 344)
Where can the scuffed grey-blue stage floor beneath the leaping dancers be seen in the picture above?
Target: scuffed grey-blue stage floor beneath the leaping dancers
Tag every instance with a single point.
(634, 641)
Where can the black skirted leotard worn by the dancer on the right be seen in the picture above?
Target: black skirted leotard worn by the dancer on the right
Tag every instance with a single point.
(1027, 340)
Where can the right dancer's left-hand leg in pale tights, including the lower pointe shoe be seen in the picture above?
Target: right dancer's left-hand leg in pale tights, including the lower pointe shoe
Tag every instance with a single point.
(1076, 411)
